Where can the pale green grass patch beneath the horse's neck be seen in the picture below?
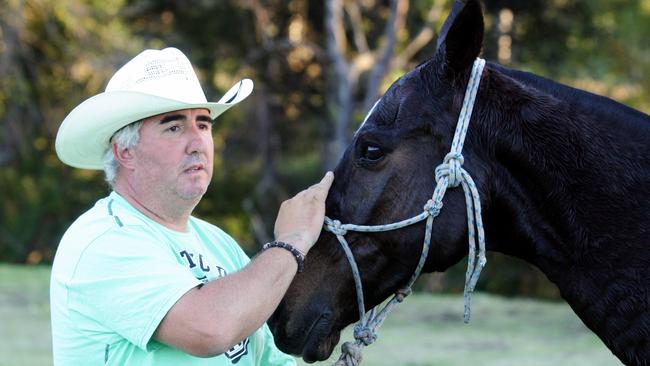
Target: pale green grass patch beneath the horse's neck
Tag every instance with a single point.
(428, 330)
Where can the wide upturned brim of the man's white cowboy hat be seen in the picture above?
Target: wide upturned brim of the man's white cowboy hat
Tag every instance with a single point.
(85, 133)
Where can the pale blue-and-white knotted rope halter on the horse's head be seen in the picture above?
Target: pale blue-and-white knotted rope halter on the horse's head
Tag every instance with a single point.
(448, 174)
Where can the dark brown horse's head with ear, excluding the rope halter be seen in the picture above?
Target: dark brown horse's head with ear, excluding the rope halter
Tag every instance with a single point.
(385, 176)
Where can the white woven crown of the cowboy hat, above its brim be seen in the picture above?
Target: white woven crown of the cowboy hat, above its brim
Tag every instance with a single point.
(163, 73)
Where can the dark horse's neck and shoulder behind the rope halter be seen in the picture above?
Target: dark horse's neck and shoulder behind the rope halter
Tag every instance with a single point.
(570, 192)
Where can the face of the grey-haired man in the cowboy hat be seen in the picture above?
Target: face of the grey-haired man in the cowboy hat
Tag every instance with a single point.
(174, 156)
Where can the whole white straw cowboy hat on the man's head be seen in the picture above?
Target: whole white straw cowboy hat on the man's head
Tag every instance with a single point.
(153, 82)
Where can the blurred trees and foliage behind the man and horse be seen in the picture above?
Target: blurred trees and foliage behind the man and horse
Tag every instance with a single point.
(318, 66)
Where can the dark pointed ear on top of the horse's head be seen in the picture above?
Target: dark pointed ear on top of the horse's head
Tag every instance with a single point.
(461, 38)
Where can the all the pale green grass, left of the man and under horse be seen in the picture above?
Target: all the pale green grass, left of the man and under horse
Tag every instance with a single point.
(425, 330)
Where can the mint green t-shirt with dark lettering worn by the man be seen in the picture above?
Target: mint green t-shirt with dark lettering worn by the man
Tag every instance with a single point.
(116, 273)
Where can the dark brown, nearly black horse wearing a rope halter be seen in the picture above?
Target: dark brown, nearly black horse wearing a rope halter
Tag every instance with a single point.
(563, 177)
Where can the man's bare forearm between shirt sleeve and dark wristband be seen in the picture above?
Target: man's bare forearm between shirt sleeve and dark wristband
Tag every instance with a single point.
(211, 319)
